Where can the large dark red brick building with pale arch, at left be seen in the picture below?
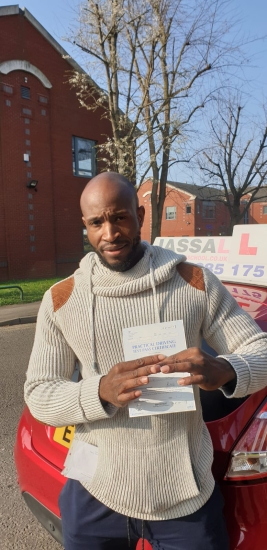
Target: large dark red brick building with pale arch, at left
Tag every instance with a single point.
(45, 137)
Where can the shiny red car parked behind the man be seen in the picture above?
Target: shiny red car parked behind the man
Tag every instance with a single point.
(238, 428)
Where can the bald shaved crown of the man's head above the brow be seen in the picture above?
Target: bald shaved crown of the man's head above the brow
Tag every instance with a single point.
(111, 181)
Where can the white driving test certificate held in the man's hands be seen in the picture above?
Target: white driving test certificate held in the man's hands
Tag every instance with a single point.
(162, 395)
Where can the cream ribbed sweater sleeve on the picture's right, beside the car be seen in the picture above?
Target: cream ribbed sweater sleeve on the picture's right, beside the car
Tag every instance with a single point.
(236, 337)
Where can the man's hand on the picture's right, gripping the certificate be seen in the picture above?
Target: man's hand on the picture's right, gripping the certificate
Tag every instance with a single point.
(209, 373)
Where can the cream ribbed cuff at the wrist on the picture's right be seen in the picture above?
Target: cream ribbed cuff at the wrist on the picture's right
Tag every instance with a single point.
(242, 371)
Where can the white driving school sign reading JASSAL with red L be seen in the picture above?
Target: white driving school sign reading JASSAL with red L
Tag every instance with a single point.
(240, 258)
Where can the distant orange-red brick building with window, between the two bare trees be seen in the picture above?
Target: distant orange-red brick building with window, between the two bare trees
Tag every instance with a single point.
(188, 210)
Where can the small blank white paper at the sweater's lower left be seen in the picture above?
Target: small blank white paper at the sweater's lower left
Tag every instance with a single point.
(81, 461)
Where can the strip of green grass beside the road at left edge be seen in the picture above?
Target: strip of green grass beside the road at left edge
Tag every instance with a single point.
(33, 291)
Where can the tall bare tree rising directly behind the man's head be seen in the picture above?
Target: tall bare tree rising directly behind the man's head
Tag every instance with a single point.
(150, 60)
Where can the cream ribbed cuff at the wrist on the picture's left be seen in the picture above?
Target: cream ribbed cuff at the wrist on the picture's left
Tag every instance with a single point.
(91, 403)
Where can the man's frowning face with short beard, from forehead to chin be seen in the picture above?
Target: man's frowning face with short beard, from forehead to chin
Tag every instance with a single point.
(113, 222)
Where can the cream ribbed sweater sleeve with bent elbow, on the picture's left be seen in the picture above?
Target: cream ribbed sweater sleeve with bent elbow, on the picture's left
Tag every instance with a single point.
(51, 395)
